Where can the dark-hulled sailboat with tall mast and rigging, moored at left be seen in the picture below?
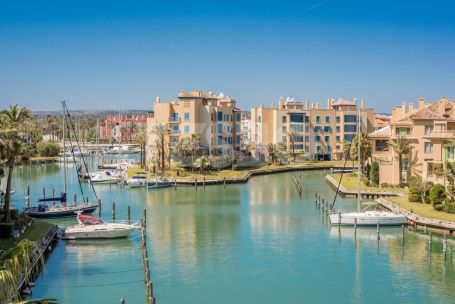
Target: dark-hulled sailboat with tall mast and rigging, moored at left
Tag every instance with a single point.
(43, 210)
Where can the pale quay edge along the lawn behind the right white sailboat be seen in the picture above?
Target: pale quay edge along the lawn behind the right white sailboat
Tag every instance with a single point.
(416, 220)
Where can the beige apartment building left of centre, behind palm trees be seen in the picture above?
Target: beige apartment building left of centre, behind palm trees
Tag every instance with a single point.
(214, 117)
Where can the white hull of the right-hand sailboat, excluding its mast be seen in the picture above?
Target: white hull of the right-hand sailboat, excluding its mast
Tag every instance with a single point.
(368, 218)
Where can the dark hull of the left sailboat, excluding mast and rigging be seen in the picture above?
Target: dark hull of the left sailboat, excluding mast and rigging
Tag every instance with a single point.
(58, 211)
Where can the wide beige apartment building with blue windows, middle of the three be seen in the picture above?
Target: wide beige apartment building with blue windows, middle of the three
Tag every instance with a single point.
(319, 132)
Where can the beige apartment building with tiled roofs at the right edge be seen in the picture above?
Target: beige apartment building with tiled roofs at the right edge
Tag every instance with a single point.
(431, 129)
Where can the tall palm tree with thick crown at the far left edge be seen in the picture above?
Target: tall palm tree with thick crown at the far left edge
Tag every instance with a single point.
(11, 144)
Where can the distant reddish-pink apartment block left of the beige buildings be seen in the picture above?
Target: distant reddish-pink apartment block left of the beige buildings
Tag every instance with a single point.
(122, 128)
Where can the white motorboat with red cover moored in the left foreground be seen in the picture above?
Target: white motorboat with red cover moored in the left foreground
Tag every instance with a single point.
(91, 227)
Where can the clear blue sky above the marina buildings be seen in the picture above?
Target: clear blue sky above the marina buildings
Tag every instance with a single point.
(108, 54)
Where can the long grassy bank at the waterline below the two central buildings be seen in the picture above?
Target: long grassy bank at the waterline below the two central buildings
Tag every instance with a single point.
(231, 174)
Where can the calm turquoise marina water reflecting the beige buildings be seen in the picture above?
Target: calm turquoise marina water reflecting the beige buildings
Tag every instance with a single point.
(251, 243)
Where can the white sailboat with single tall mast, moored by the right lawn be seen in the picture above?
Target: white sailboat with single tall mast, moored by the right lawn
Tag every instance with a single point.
(365, 218)
